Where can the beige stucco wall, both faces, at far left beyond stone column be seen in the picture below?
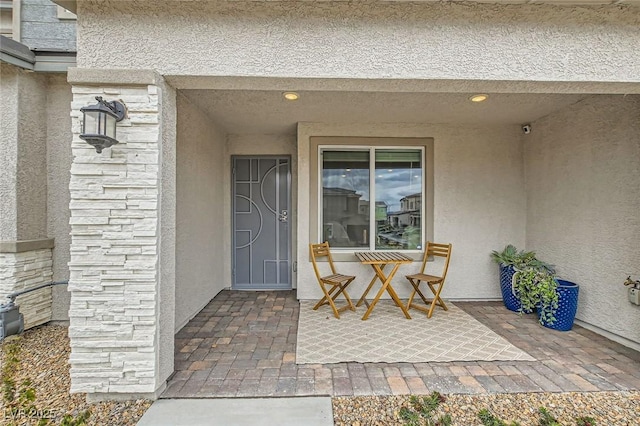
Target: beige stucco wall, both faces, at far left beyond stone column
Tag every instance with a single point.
(35, 189)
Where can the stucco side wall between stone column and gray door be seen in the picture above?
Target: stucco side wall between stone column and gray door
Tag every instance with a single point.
(200, 248)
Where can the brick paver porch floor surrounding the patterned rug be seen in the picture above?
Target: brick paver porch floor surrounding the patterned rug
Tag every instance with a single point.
(242, 344)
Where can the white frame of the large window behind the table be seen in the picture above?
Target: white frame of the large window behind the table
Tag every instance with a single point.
(371, 149)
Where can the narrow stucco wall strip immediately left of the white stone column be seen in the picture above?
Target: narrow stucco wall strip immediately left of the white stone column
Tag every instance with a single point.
(58, 175)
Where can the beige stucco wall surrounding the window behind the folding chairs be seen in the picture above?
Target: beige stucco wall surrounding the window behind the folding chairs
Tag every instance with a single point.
(479, 203)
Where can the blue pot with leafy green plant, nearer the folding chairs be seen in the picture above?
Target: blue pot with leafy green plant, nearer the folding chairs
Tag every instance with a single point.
(511, 260)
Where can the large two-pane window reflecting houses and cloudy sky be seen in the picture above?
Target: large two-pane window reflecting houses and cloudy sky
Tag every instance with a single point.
(352, 177)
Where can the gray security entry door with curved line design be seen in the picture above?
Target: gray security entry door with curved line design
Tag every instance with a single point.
(261, 223)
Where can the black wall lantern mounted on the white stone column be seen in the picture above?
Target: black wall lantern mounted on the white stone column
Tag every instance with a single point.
(99, 123)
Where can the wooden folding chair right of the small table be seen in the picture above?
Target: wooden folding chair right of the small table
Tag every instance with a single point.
(434, 282)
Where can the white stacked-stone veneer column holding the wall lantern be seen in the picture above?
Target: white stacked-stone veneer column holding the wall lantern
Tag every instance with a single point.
(115, 250)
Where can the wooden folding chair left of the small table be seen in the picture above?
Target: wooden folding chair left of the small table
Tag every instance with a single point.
(332, 285)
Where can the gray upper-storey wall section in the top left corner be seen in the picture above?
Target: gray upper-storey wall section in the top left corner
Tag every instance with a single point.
(42, 30)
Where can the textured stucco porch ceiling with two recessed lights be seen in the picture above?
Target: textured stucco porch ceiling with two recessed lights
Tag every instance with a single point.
(267, 112)
